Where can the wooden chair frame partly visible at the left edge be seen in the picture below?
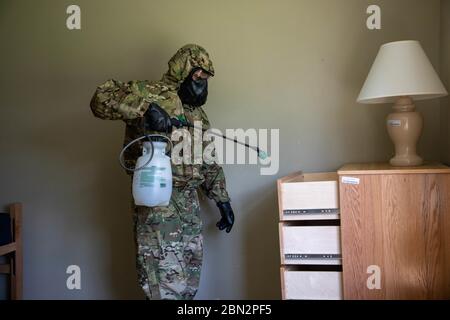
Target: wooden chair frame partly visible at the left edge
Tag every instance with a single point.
(13, 252)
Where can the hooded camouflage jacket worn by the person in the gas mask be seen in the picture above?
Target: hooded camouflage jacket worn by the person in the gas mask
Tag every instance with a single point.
(116, 100)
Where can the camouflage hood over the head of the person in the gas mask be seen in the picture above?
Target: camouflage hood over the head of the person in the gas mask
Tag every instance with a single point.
(187, 58)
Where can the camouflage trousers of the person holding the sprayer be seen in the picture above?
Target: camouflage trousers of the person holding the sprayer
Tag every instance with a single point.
(170, 247)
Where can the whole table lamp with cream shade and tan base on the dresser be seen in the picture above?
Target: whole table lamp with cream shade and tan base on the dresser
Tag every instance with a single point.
(401, 74)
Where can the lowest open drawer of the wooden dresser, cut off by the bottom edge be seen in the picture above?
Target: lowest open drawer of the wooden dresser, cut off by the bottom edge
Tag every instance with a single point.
(311, 285)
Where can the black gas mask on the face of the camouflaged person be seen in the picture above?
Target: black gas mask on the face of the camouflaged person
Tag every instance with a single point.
(193, 92)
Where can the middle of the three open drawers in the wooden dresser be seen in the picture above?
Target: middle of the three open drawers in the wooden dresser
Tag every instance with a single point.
(317, 245)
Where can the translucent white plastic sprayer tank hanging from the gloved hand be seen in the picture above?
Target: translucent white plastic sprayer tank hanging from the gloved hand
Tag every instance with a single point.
(152, 185)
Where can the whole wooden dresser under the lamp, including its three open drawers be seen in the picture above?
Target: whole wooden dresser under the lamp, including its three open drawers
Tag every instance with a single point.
(386, 228)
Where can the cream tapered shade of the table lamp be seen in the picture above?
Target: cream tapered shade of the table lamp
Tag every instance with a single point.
(401, 69)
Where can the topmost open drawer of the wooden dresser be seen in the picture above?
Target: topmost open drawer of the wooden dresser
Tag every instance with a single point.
(312, 196)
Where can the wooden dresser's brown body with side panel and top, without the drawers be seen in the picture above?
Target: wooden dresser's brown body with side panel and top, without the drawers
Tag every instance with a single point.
(398, 220)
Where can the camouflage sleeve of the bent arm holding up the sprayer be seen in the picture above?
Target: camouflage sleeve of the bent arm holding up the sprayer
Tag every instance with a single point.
(116, 100)
